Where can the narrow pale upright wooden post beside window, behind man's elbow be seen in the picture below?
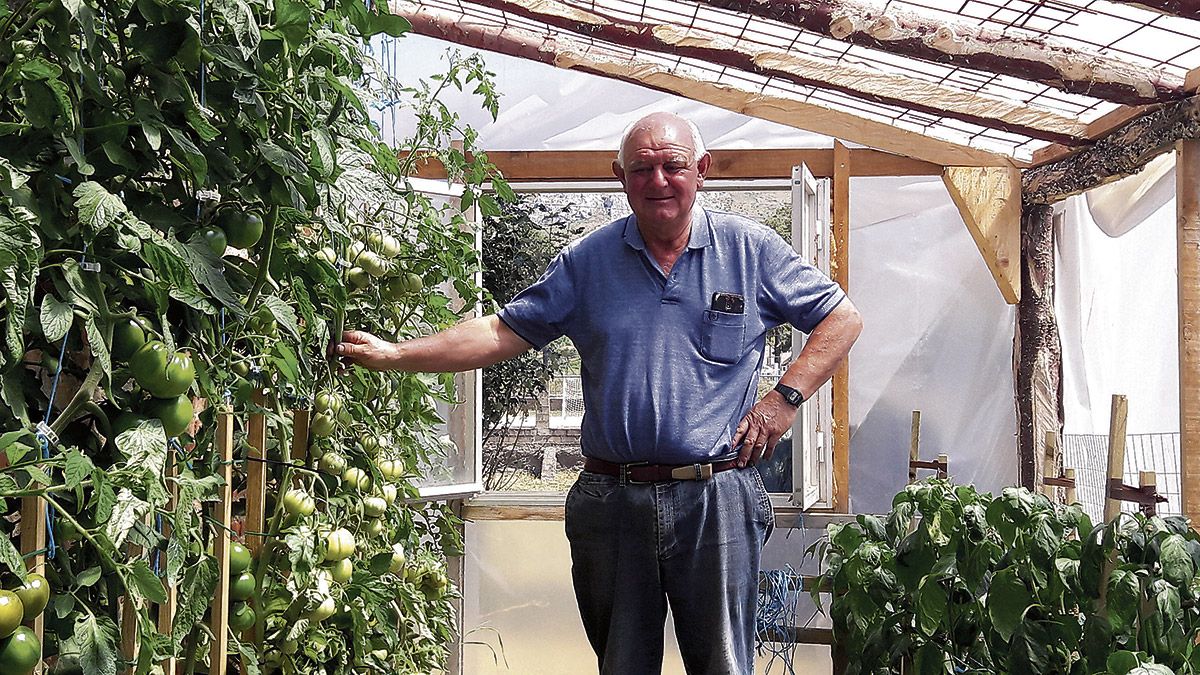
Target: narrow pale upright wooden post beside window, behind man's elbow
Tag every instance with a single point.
(839, 270)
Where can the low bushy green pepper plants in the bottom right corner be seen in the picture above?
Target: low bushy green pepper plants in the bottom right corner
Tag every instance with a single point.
(953, 581)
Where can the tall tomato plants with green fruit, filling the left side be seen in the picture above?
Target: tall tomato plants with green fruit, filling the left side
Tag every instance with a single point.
(194, 204)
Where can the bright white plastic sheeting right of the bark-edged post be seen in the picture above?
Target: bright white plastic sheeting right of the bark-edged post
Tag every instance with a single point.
(1117, 303)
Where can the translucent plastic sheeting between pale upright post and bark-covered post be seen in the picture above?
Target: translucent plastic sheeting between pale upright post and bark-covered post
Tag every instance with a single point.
(938, 338)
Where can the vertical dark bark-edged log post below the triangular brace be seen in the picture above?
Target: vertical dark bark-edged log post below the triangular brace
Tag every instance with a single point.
(1037, 349)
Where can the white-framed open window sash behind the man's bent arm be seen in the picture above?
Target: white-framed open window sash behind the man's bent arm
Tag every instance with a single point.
(812, 432)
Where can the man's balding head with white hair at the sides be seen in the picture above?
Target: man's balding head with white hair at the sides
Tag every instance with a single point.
(661, 177)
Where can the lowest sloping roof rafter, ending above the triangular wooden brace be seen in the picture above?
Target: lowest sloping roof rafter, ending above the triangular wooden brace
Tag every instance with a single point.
(809, 117)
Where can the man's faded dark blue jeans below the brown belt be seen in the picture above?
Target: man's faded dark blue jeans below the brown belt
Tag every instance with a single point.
(693, 545)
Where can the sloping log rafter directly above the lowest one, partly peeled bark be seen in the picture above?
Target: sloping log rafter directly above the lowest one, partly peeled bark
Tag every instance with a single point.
(863, 83)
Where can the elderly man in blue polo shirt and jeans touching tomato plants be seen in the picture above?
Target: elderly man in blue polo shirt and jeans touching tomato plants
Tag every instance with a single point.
(669, 309)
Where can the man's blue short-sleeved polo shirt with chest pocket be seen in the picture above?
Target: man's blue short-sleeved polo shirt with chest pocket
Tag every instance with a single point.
(665, 378)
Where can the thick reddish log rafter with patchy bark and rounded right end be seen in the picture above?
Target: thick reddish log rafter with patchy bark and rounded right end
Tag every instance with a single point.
(914, 35)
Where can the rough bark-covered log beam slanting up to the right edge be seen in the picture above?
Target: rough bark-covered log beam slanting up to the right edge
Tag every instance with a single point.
(1123, 153)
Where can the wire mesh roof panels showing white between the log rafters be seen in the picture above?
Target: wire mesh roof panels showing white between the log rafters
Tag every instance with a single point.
(1125, 32)
